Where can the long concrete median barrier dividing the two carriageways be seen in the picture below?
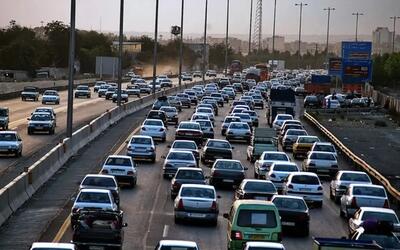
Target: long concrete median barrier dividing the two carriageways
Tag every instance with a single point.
(24, 186)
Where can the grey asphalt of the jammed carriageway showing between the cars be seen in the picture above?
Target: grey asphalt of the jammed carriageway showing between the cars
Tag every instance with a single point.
(148, 208)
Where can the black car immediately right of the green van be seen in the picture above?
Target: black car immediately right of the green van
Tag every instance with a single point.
(294, 213)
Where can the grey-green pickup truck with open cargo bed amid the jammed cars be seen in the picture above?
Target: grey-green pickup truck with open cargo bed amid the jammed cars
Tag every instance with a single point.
(263, 139)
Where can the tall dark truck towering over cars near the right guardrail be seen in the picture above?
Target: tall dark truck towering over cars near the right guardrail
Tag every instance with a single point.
(281, 101)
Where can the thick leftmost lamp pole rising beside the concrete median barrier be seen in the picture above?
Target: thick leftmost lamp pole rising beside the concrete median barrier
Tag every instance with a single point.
(71, 62)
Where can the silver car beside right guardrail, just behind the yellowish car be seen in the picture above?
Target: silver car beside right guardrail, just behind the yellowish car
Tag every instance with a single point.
(321, 163)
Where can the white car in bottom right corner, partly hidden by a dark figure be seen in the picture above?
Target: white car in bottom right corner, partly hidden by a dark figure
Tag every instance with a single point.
(372, 214)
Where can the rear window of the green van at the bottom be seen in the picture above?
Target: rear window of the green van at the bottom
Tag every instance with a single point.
(256, 218)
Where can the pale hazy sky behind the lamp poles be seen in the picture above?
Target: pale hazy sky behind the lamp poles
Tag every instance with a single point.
(139, 15)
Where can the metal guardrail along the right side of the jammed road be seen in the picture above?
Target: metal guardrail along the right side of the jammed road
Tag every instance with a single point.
(394, 193)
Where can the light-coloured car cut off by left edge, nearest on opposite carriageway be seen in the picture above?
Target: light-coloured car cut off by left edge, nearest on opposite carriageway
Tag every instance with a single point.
(10, 143)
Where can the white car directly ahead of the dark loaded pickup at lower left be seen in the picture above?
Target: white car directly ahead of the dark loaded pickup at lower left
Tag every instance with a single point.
(101, 181)
